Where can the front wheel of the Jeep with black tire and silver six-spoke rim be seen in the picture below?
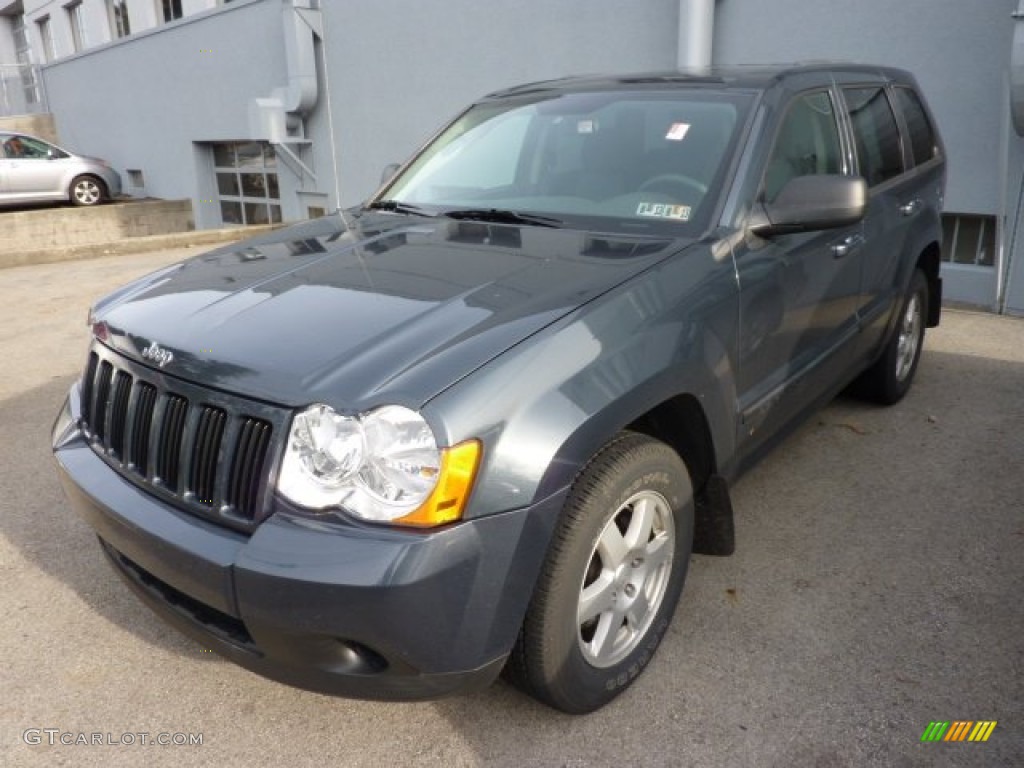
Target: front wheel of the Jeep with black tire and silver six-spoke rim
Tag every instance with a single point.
(577, 665)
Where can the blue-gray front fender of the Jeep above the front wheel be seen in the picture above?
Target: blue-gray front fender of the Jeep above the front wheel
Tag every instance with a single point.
(544, 408)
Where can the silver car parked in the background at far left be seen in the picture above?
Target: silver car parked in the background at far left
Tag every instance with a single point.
(36, 172)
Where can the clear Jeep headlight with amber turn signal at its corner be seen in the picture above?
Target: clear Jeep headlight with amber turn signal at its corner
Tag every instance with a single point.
(383, 465)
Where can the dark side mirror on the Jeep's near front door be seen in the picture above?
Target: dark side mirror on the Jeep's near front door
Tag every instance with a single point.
(812, 203)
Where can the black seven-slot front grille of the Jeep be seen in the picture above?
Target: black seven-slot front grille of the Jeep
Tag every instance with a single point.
(204, 451)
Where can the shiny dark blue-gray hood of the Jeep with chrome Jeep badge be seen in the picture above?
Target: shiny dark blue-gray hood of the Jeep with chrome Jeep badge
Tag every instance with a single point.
(356, 311)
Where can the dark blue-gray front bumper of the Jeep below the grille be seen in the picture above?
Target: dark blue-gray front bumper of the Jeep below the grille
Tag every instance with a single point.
(357, 611)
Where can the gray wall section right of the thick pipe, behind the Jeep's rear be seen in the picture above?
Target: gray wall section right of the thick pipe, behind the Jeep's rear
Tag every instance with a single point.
(960, 54)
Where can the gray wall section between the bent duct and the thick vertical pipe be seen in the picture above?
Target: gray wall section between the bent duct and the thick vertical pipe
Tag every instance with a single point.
(399, 70)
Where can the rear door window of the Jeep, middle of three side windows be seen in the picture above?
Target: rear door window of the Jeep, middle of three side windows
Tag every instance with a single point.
(876, 136)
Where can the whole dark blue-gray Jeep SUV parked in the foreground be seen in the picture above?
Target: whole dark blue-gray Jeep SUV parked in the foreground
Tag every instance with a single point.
(482, 421)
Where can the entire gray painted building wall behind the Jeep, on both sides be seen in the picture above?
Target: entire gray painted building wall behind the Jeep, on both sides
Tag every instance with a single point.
(393, 72)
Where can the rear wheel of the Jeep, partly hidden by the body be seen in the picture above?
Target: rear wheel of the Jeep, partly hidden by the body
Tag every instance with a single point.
(889, 379)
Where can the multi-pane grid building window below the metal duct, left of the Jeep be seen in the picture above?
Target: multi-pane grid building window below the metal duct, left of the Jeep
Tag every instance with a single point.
(247, 183)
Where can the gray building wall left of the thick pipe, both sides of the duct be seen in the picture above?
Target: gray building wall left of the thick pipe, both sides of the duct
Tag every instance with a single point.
(392, 72)
